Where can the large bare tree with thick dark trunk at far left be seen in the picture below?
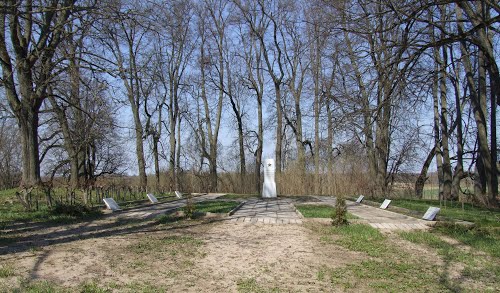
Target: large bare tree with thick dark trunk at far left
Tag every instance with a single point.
(35, 30)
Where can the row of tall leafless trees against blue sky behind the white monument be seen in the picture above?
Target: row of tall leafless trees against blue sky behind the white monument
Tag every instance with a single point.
(391, 81)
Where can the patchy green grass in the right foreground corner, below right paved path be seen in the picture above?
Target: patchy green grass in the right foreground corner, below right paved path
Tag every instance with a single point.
(391, 266)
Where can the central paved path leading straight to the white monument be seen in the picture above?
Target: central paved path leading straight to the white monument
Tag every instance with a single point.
(267, 211)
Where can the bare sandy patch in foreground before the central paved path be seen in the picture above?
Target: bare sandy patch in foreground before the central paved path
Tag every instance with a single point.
(284, 256)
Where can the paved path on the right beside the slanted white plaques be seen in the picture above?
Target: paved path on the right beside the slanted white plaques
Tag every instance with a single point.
(378, 218)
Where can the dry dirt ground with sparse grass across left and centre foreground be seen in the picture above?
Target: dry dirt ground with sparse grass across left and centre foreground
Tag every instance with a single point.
(212, 255)
